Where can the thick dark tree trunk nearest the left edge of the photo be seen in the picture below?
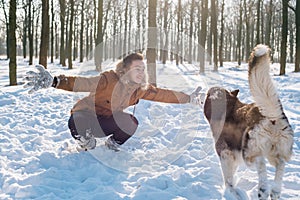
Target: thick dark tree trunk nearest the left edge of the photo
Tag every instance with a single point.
(12, 43)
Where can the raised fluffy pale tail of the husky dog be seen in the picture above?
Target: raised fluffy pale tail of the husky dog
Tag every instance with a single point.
(261, 85)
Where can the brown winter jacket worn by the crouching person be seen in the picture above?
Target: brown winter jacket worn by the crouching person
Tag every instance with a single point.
(108, 93)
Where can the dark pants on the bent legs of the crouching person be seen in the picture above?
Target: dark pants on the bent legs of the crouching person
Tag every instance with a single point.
(121, 125)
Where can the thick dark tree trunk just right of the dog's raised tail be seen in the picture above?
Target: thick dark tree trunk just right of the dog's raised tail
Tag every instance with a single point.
(284, 33)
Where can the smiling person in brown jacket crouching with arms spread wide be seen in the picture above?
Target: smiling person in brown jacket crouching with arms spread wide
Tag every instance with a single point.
(101, 113)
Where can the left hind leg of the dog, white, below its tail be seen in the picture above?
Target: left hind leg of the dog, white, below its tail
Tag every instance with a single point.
(263, 191)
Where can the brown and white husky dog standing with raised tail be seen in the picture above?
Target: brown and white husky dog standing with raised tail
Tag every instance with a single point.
(253, 132)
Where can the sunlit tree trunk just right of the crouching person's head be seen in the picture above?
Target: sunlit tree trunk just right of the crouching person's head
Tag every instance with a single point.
(152, 41)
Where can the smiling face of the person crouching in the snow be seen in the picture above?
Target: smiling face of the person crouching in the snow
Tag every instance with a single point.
(137, 71)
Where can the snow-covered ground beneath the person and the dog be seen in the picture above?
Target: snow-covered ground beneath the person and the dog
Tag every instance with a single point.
(171, 156)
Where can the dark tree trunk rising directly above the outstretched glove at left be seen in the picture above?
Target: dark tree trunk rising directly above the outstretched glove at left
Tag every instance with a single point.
(44, 34)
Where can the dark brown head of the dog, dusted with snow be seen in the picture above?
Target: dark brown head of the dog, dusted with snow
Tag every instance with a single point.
(220, 103)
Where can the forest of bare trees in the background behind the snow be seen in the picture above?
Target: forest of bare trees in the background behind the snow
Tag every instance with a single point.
(193, 31)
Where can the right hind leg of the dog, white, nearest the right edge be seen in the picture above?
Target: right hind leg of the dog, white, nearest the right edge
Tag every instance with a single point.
(276, 189)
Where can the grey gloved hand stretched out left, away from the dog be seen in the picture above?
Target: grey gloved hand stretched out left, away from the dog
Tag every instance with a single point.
(38, 80)
